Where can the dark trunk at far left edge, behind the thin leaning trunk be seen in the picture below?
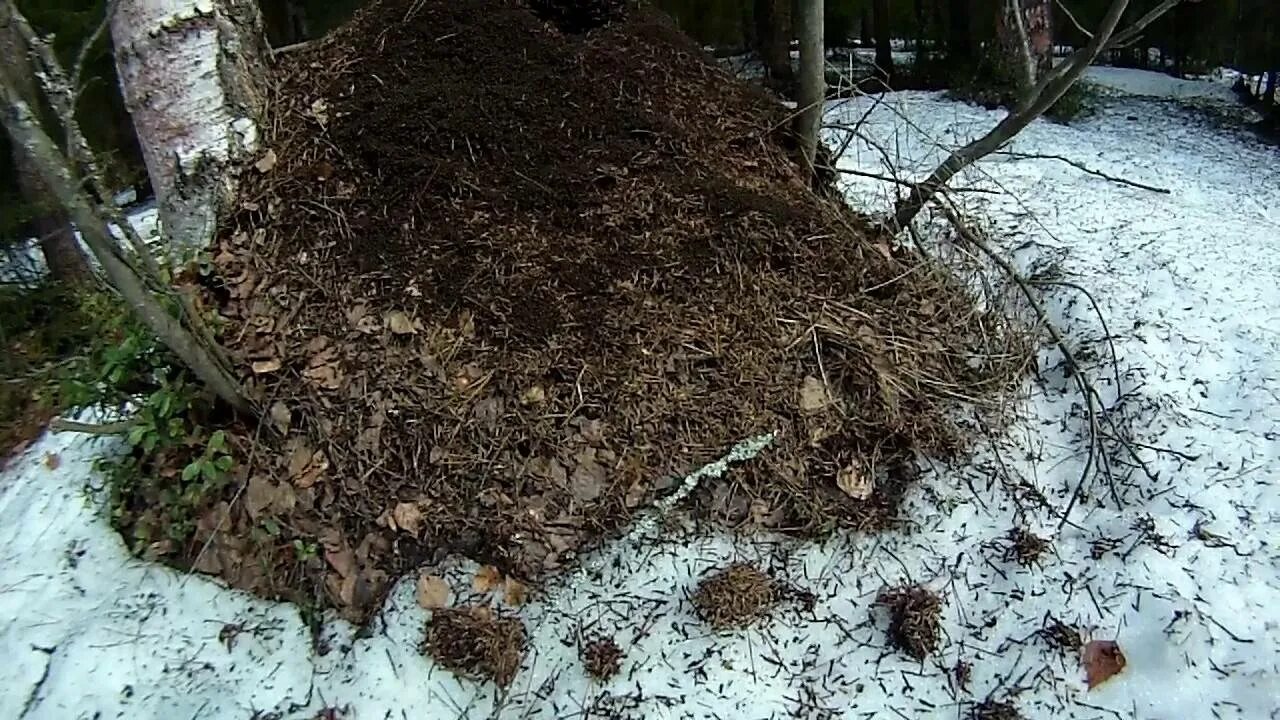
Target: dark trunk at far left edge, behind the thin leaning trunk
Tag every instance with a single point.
(63, 256)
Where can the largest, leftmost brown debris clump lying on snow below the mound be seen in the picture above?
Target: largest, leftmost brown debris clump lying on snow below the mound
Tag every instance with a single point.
(477, 642)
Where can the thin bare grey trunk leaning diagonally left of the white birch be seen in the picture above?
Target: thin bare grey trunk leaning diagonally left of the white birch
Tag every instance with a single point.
(25, 131)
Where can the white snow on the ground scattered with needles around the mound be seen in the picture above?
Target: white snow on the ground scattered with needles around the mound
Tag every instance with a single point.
(1185, 575)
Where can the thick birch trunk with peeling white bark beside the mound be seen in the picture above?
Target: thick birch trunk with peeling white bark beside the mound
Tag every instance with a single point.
(191, 74)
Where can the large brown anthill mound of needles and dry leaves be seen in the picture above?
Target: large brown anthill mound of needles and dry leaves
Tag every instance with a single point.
(505, 285)
